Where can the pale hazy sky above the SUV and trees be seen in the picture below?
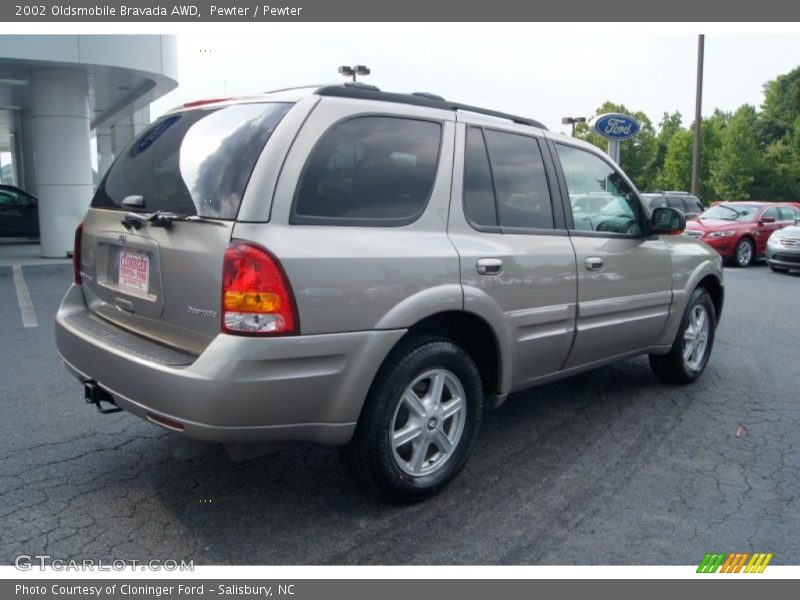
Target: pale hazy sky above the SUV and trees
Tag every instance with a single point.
(511, 68)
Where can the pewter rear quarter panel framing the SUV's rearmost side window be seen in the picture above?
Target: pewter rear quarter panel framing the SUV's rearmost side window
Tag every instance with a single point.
(355, 278)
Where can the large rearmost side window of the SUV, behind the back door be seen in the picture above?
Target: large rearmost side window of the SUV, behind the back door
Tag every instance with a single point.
(371, 171)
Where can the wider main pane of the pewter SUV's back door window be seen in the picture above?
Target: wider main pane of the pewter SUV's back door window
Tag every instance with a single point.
(523, 197)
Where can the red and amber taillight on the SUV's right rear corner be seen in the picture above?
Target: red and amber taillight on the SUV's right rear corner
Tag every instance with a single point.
(256, 296)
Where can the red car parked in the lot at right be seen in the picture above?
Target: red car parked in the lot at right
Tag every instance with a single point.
(739, 230)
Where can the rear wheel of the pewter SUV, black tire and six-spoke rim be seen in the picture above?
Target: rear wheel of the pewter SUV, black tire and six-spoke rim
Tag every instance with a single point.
(403, 399)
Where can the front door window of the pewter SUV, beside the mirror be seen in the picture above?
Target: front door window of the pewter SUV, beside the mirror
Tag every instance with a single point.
(587, 174)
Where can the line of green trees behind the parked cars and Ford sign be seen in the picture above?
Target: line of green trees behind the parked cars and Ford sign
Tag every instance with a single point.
(747, 154)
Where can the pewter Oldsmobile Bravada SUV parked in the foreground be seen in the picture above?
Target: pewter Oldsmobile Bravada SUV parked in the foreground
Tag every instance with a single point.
(373, 270)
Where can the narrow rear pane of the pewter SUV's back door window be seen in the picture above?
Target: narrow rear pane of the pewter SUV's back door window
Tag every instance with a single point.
(479, 201)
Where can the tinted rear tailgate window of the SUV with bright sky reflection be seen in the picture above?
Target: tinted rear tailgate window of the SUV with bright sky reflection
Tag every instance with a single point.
(194, 163)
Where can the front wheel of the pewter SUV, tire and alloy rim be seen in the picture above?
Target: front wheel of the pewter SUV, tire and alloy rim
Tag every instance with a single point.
(675, 367)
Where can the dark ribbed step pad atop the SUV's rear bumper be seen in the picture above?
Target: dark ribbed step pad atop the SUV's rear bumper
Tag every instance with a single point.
(131, 343)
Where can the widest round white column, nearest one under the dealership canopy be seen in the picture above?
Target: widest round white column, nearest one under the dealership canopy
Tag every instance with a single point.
(60, 115)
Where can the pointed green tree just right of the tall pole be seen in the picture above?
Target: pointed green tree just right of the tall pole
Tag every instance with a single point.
(739, 171)
